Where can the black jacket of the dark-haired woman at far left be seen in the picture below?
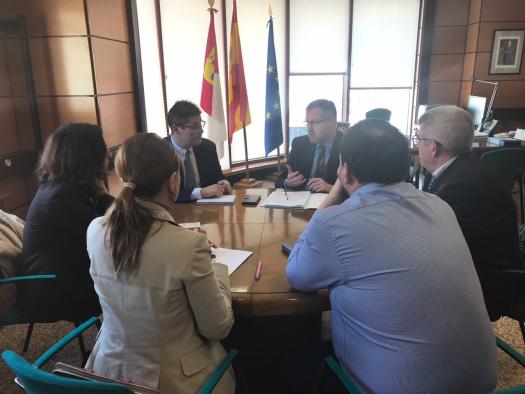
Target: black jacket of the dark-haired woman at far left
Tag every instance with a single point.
(55, 243)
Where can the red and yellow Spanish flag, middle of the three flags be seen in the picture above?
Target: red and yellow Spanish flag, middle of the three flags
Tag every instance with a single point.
(238, 108)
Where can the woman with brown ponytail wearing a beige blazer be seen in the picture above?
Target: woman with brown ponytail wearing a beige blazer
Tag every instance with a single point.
(166, 305)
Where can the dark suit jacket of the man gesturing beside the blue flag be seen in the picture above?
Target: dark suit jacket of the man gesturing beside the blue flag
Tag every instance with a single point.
(301, 159)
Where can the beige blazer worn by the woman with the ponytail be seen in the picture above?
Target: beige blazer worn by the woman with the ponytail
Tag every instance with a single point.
(162, 326)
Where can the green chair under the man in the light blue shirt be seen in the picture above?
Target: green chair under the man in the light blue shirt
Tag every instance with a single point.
(331, 364)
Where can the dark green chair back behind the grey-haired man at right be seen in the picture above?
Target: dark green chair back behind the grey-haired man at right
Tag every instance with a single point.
(507, 164)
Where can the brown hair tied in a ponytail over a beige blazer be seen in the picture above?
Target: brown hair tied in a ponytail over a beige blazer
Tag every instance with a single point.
(145, 162)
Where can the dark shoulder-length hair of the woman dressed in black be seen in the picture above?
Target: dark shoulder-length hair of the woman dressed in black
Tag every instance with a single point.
(74, 153)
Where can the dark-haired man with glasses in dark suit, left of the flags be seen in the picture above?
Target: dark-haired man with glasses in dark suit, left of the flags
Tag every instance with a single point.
(202, 176)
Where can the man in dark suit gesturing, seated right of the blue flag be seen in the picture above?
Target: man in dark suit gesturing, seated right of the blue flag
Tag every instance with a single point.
(314, 158)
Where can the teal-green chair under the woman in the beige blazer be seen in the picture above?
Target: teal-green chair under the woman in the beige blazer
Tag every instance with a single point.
(36, 381)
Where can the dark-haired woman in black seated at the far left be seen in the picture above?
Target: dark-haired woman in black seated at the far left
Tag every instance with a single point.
(71, 172)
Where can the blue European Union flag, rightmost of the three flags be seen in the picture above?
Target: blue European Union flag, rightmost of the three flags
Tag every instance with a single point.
(273, 126)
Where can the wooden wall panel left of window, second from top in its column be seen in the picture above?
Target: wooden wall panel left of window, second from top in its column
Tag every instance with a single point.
(112, 66)
